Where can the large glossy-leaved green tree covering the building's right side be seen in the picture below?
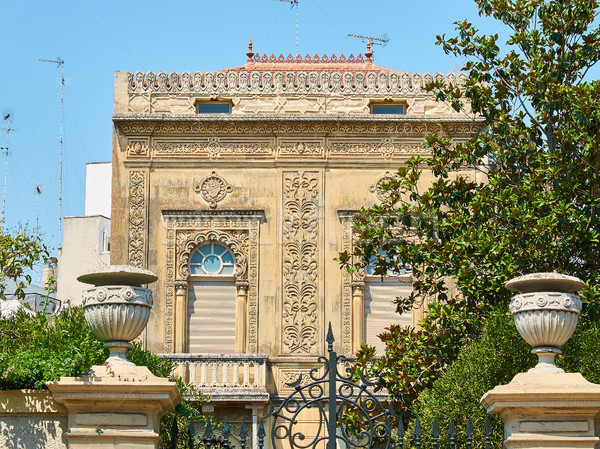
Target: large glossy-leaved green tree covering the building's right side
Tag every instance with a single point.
(533, 205)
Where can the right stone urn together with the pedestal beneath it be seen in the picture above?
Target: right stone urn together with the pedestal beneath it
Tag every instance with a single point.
(546, 407)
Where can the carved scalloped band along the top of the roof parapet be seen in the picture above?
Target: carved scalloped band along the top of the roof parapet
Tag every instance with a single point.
(312, 81)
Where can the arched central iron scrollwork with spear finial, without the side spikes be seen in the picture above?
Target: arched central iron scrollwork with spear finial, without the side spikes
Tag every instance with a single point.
(332, 395)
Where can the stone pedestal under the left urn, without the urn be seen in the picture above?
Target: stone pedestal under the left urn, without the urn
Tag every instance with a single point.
(115, 407)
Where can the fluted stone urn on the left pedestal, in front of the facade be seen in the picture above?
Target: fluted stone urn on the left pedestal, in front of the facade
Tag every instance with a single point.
(117, 308)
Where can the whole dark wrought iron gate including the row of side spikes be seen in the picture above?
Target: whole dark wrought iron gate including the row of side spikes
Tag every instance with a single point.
(350, 416)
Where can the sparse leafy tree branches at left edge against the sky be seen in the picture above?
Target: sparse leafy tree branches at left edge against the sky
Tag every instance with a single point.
(19, 251)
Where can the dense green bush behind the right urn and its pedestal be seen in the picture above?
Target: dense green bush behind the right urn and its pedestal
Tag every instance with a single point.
(494, 358)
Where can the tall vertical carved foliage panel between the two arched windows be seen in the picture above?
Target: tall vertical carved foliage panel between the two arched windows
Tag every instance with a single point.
(300, 261)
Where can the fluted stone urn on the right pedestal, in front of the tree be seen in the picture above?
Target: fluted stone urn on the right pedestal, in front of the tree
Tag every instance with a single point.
(546, 313)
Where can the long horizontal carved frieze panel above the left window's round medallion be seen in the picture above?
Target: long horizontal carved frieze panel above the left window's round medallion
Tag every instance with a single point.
(214, 148)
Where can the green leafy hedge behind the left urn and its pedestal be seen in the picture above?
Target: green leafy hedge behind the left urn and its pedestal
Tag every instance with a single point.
(35, 349)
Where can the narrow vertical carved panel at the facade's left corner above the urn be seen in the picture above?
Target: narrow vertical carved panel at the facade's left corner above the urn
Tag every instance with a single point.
(137, 218)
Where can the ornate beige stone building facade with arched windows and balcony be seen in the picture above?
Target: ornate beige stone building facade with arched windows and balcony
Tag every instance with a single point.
(238, 187)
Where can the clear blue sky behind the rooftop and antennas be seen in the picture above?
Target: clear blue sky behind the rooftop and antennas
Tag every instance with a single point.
(97, 38)
